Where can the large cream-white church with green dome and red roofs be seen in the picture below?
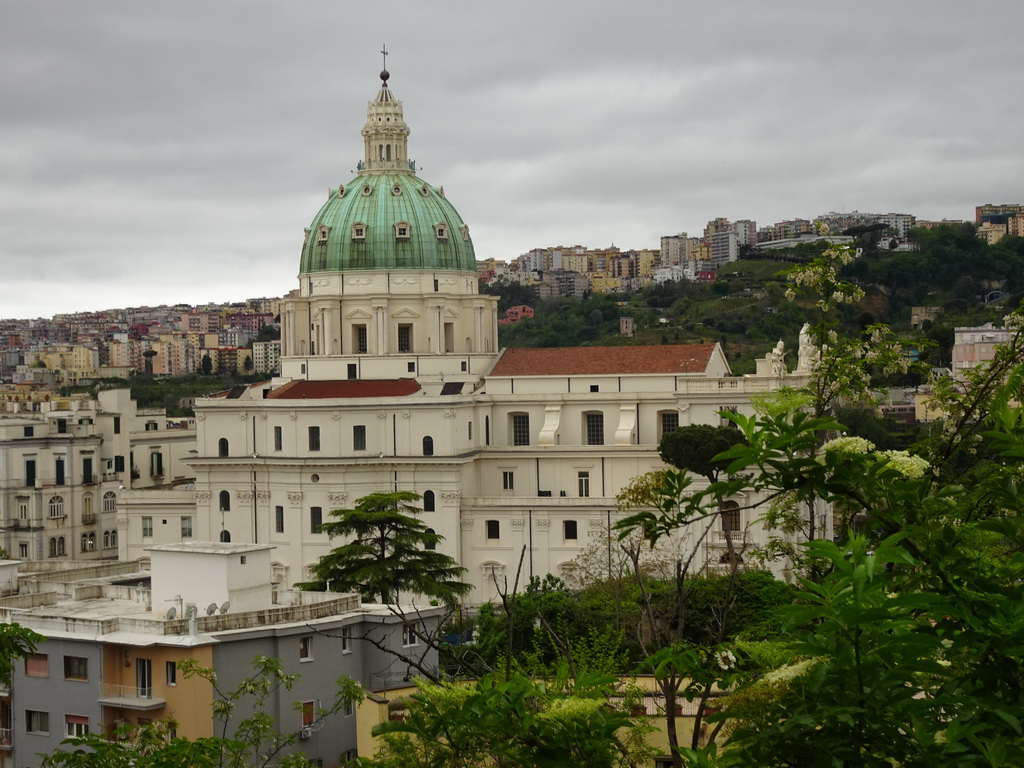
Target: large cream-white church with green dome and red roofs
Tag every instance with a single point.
(393, 380)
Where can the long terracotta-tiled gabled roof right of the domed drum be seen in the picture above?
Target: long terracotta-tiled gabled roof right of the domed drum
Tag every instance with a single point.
(682, 359)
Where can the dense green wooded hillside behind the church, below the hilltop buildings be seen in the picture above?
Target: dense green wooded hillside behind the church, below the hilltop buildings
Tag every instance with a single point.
(971, 282)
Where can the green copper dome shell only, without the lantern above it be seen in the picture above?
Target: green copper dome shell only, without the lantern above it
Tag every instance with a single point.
(388, 222)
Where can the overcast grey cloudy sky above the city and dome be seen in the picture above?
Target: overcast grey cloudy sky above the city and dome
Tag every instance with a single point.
(156, 153)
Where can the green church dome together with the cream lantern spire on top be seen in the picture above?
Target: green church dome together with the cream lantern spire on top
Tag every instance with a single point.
(387, 219)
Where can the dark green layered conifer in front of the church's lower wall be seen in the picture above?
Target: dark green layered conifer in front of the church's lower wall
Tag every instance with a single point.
(391, 551)
